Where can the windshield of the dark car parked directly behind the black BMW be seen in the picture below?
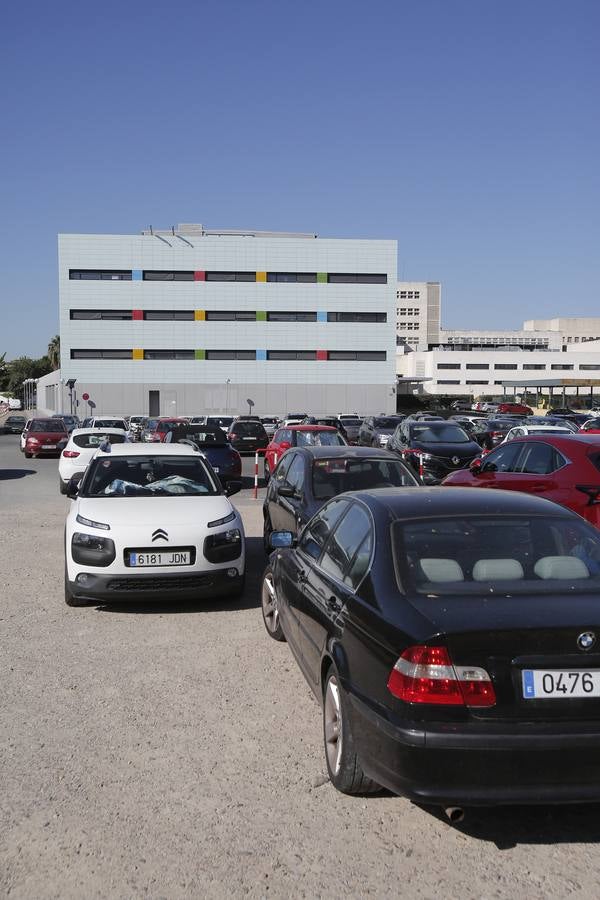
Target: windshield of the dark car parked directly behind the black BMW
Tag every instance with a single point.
(334, 476)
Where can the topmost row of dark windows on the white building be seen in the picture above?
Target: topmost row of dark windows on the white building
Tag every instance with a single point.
(280, 277)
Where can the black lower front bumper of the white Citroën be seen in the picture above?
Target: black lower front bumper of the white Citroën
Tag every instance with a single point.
(174, 586)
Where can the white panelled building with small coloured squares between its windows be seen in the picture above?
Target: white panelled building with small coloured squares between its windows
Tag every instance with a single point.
(196, 320)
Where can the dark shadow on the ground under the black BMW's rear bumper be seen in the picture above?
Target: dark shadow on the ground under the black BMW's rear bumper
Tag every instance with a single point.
(509, 826)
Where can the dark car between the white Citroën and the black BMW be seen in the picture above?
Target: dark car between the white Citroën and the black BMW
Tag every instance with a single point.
(306, 477)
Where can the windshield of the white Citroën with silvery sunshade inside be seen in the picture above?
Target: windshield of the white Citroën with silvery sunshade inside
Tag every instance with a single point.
(147, 476)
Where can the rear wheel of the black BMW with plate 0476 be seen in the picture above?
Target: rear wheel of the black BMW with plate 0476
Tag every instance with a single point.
(345, 771)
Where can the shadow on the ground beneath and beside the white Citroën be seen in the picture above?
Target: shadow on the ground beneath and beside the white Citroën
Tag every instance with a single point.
(256, 561)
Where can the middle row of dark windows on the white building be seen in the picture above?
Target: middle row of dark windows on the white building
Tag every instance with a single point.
(187, 315)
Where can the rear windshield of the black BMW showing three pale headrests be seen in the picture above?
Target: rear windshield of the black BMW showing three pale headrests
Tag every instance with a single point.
(458, 556)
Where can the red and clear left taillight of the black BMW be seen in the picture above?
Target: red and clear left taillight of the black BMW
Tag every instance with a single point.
(427, 675)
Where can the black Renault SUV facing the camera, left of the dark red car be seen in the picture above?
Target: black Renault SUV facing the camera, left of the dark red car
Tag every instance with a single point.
(435, 448)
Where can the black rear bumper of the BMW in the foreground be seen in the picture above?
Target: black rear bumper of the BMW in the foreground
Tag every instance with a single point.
(479, 764)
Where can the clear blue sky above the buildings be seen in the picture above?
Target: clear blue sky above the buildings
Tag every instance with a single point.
(466, 129)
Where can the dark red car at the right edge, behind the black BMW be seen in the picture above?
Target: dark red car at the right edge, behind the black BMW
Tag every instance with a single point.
(565, 469)
